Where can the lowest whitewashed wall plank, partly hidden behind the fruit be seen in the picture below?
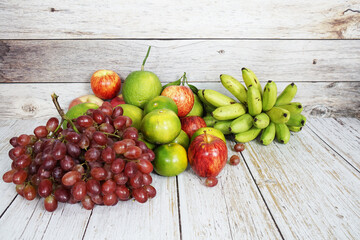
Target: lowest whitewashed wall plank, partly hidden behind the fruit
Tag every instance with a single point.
(33, 101)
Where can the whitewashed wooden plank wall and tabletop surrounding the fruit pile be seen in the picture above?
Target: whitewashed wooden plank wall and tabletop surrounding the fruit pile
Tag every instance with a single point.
(306, 189)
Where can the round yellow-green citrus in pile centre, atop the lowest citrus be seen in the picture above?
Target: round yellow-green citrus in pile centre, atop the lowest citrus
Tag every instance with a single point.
(160, 126)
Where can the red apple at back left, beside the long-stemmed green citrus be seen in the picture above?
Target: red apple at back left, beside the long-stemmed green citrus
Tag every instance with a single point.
(105, 84)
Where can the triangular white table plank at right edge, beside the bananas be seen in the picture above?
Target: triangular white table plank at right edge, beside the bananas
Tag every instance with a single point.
(342, 135)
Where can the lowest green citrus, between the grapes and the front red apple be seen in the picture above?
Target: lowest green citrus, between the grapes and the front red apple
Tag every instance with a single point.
(170, 159)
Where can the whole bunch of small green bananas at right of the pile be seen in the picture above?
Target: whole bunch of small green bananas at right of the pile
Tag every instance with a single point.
(257, 112)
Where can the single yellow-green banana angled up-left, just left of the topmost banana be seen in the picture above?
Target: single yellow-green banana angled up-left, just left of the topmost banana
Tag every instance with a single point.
(234, 87)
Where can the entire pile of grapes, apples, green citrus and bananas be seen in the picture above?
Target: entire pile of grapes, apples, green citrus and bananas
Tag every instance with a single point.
(104, 149)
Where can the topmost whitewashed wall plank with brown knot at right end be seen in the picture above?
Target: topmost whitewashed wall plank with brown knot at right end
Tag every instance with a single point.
(186, 19)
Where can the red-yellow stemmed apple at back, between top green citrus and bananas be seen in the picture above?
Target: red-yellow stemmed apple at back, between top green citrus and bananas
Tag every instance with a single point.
(182, 96)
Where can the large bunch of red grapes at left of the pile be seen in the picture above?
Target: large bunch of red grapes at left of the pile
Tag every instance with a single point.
(97, 159)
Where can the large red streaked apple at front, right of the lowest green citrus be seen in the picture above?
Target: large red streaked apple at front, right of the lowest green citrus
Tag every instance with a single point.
(207, 155)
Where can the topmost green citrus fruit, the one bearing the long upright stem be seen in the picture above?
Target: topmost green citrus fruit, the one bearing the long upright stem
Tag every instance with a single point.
(140, 87)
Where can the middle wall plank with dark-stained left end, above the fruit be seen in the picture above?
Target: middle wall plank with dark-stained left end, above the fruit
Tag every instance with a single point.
(203, 60)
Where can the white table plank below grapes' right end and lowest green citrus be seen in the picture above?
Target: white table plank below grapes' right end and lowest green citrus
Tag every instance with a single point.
(155, 219)
